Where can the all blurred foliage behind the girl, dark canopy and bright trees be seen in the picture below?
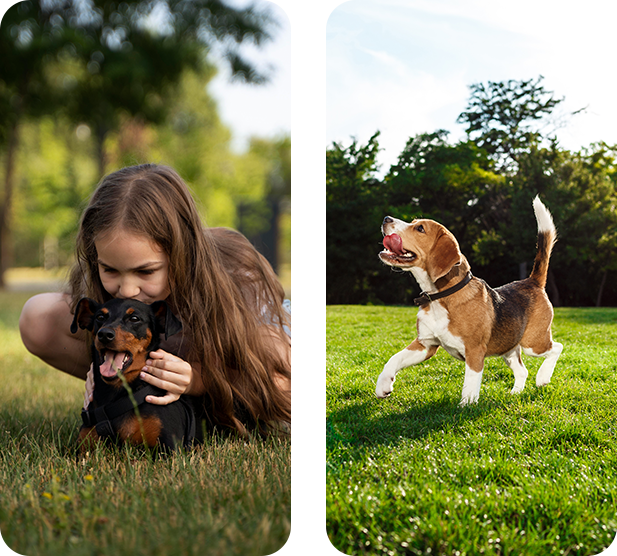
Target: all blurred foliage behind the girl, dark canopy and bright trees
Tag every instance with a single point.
(106, 73)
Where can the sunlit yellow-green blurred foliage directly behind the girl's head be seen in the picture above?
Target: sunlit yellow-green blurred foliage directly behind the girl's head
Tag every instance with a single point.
(56, 170)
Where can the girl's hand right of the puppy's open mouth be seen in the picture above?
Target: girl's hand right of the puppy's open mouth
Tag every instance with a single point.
(169, 373)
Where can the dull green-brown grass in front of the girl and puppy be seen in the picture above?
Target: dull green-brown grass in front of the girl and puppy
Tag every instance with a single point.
(228, 497)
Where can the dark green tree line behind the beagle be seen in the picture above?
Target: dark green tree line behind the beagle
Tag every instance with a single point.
(481, 189)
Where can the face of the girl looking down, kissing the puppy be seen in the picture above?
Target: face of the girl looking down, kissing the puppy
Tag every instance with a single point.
(132, 266)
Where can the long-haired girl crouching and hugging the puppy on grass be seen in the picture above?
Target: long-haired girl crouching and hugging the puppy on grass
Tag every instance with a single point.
(141, 237)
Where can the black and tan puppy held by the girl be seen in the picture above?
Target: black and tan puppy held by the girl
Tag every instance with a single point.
(125, 332)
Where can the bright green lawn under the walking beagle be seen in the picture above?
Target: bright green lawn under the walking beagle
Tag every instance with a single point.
(529, 474)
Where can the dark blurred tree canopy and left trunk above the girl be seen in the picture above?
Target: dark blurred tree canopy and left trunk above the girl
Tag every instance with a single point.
(101, 59)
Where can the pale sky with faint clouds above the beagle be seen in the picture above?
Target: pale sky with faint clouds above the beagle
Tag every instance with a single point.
(403, 67)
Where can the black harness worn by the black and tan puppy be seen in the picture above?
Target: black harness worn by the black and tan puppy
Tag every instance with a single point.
(101, 417)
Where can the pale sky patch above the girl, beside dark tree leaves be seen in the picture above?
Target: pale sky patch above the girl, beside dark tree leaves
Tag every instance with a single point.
(264, 110)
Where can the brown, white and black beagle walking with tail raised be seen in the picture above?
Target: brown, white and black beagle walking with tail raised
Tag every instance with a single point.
(465, 316)
